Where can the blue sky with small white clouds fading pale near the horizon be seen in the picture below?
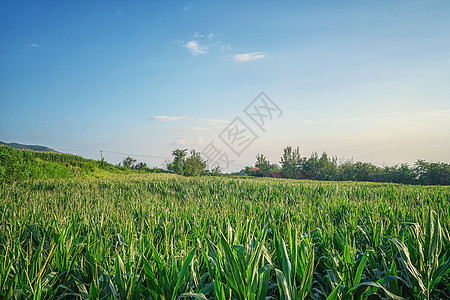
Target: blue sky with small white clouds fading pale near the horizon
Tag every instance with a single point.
(362, 80)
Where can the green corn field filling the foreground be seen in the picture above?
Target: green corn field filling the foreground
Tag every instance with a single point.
(168, 237)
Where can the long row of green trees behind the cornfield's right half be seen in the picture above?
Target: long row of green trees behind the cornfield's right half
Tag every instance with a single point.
(323, 167)
